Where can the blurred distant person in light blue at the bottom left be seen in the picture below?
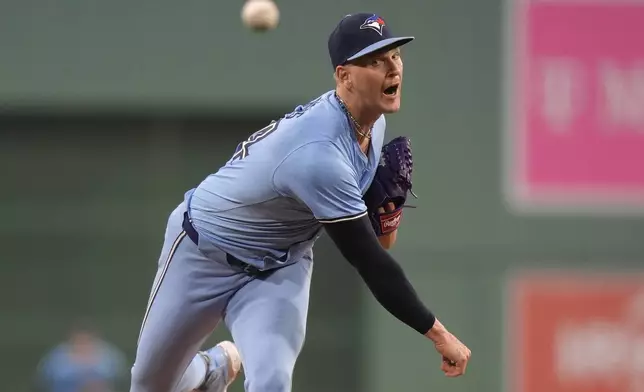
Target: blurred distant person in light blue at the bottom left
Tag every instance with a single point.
(83, 363)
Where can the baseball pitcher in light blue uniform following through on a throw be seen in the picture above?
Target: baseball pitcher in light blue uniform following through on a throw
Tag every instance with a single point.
(238, 248)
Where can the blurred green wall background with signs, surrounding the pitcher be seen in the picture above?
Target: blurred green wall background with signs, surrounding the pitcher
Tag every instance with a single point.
(527, 123)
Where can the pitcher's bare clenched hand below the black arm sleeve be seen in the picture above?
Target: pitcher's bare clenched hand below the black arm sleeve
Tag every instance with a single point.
(455, 355)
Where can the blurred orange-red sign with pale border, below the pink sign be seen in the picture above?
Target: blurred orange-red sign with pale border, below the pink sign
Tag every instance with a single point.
(576, 334)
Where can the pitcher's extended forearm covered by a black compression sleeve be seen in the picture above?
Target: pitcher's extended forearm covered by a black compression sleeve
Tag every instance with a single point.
(381, 273)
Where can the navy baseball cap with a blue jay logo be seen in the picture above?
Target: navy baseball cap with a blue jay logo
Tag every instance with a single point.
(357, 35)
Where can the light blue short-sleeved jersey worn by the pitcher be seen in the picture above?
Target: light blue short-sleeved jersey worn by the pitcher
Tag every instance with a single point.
(266, 205)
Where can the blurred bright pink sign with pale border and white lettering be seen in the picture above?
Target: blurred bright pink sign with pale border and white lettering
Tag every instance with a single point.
(575, 104)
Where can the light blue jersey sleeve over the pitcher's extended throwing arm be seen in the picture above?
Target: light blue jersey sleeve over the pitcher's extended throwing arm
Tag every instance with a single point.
(319, 176)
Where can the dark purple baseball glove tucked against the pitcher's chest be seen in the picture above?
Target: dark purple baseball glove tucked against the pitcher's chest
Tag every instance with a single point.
(390, 184)
